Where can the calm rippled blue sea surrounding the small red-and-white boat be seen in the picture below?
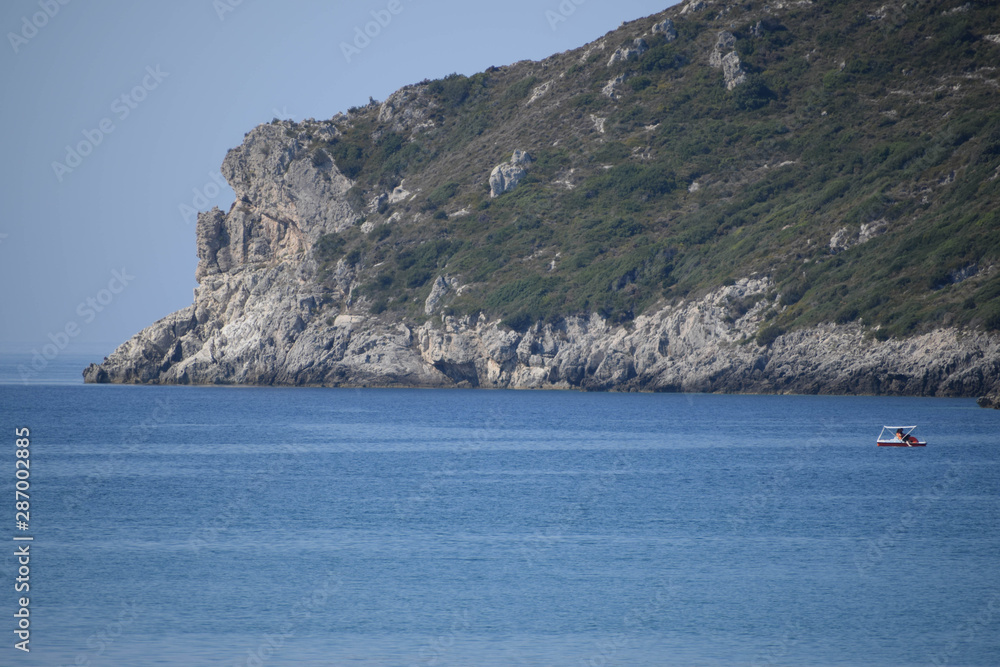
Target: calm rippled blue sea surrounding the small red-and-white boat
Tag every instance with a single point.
(258, 526)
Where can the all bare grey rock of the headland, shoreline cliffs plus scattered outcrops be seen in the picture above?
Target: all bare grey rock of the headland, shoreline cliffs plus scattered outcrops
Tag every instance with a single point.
(269, 310)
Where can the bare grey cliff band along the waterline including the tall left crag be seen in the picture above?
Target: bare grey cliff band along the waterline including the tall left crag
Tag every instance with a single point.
(259, 317)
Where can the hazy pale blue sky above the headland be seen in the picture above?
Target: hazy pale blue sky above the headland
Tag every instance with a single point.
(150, 96)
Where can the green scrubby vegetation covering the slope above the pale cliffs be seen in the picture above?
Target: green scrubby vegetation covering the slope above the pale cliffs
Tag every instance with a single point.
(867, 124)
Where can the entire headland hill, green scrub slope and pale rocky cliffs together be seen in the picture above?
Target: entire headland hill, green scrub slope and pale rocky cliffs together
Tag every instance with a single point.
(798, 171)
